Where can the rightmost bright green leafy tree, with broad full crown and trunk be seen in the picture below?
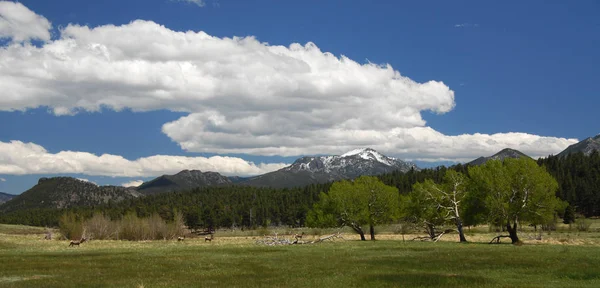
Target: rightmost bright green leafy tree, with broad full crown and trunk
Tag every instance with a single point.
(515, 191)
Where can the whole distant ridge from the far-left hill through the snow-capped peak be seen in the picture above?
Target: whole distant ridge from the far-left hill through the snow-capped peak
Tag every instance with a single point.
(65, 192)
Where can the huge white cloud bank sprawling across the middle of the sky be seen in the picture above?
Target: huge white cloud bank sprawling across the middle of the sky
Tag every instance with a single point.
(242, 95)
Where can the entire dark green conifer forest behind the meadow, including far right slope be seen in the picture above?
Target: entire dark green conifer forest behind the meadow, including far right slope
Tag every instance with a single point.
(246, 207)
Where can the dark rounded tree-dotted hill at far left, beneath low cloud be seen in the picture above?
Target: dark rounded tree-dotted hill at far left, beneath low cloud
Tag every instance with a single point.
(65, 192)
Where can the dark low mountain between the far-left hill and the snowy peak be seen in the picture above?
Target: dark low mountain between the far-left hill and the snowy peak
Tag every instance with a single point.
(186, 179)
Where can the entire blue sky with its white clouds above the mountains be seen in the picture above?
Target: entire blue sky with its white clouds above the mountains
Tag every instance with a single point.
(82, 79)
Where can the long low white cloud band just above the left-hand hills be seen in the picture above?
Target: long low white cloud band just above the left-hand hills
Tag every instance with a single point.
(18, 158)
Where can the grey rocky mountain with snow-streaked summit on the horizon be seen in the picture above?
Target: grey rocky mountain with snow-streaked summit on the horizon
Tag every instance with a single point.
(321, 169)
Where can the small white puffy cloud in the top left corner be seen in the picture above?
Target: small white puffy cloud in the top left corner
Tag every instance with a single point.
(21, 24)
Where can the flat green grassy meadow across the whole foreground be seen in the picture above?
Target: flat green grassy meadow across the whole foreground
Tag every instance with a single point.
(26, 260)
